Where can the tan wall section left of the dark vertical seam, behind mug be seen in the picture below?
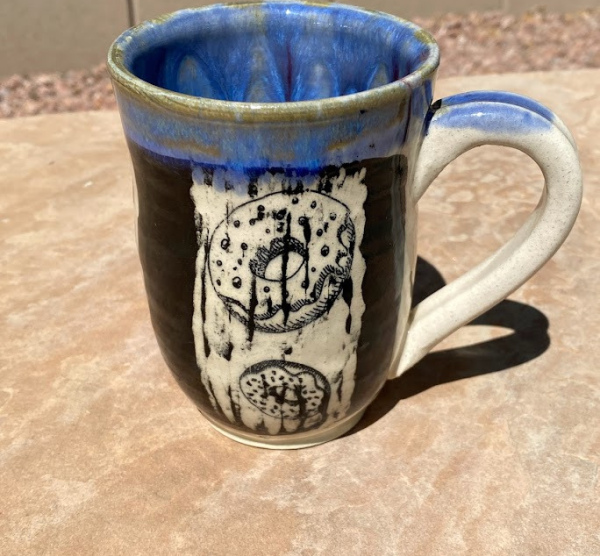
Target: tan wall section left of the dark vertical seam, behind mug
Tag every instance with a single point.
(58, 35)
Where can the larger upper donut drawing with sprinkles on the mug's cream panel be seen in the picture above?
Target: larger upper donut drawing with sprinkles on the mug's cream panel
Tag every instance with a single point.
(279, 262)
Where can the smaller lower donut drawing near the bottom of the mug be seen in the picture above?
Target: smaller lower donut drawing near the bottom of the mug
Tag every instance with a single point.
(287, 390)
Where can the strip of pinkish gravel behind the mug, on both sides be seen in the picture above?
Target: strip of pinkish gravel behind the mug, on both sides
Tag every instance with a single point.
(474, 43)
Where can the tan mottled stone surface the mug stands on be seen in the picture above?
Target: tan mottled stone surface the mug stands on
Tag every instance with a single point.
(492, 448)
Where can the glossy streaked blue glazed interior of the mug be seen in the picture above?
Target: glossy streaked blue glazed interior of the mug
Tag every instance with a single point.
(274, 52)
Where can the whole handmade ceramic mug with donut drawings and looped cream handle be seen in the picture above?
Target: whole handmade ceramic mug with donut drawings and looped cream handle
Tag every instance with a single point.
(280, 150)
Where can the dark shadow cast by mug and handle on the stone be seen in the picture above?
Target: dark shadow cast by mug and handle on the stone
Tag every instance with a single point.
(529, 339)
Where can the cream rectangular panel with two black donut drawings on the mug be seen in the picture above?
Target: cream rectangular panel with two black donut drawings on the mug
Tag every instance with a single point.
(278, 277)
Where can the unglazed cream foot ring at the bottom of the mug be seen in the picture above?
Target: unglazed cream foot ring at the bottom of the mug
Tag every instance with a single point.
(288, 442)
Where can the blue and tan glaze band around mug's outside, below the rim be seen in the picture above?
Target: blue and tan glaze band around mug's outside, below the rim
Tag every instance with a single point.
(298, 144)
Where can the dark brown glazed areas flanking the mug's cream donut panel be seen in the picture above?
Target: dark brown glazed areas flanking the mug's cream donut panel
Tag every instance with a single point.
(168, 249)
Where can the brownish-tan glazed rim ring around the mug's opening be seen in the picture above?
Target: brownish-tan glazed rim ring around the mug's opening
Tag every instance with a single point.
(241, 112)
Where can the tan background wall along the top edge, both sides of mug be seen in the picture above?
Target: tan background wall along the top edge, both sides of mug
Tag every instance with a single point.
(58, 35)
